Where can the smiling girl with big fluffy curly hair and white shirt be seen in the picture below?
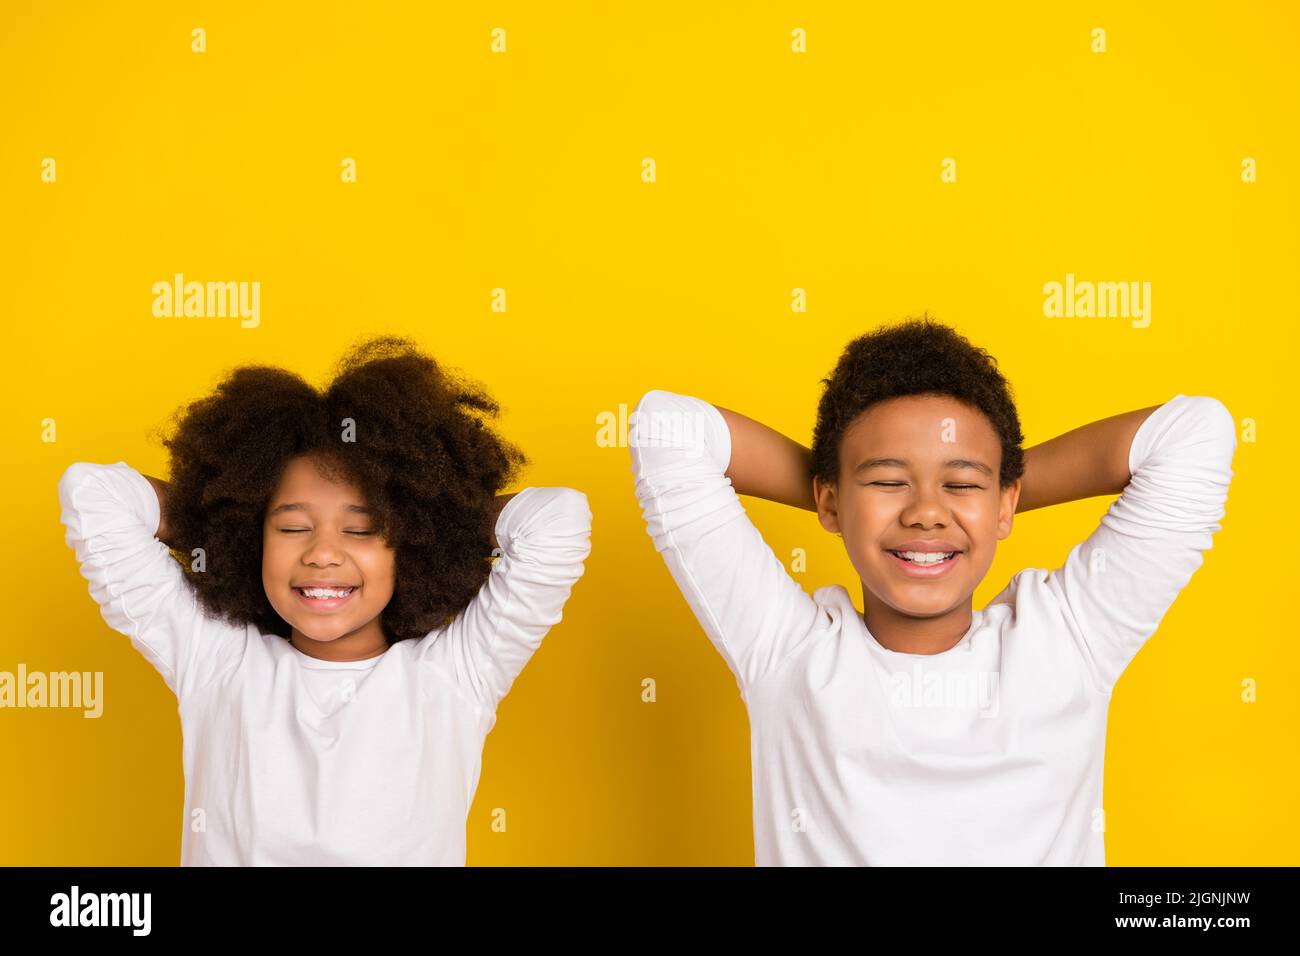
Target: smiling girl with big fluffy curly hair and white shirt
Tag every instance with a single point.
(337, 634)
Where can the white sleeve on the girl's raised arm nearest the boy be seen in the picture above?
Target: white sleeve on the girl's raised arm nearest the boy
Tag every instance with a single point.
(545, 535)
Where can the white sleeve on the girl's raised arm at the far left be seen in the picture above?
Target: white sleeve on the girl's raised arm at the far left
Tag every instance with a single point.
(111, 514)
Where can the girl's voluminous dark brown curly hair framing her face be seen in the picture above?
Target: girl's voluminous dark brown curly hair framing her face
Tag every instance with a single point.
(421, 453)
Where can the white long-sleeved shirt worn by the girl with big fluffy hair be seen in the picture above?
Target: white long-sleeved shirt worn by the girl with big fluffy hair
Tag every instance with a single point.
(291, 760)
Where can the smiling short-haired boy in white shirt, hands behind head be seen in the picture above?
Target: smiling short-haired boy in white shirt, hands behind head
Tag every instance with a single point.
(924, 732)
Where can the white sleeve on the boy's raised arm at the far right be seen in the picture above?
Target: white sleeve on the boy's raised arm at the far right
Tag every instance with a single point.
(1117, 585)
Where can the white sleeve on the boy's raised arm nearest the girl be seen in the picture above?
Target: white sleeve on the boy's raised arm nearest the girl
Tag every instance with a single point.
(751, 608)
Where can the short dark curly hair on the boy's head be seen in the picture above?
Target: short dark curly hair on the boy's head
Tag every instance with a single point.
(915, 357)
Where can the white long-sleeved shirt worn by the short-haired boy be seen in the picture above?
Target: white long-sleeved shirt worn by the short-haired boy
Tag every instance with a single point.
(989, 754)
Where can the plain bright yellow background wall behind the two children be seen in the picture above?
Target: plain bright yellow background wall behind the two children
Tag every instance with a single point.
(775, 171)
